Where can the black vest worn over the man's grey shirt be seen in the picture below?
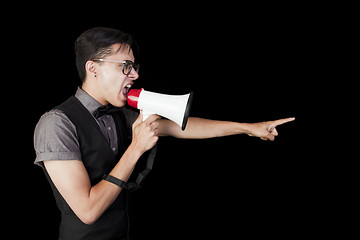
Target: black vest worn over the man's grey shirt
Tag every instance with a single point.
(98, 159)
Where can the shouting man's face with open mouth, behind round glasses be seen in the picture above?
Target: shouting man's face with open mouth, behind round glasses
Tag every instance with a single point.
(112, 84)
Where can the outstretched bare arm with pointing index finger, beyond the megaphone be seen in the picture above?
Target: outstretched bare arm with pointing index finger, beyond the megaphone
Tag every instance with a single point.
(205, 128)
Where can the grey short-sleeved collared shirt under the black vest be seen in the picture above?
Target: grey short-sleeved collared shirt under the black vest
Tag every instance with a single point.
(55, 136)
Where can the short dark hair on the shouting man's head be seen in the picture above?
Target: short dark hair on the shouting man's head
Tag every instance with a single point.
(96, 43)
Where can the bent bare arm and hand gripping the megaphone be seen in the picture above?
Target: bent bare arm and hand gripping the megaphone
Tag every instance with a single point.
(72, 179)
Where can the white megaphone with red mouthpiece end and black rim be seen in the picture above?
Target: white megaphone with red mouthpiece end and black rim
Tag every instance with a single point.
(173, 107)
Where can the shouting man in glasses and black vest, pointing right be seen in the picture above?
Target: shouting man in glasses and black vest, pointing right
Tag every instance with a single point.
(88, 157)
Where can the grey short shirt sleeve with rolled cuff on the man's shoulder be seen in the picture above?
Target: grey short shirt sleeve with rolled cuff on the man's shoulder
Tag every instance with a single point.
(55, 138)
